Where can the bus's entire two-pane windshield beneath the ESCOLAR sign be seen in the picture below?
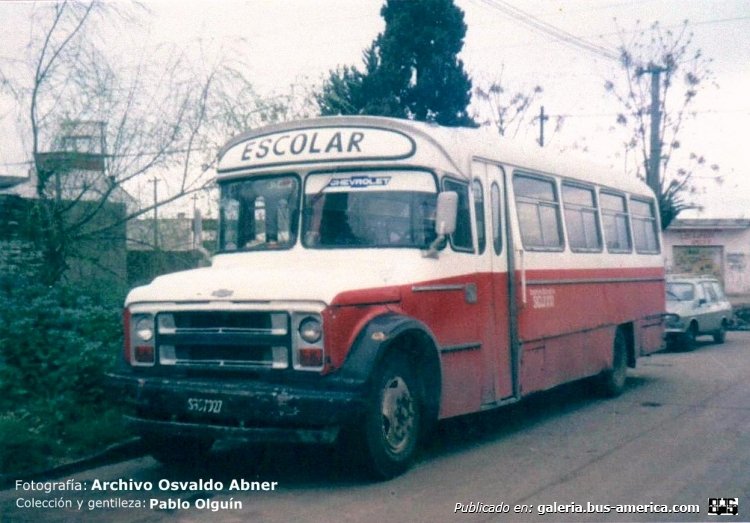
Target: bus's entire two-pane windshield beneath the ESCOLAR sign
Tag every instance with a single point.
(349, 210)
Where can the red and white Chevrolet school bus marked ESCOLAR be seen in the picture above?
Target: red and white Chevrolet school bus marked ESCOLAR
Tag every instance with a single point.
(376, 275)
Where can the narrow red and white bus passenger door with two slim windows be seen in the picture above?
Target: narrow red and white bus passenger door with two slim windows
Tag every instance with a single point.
(490, 211)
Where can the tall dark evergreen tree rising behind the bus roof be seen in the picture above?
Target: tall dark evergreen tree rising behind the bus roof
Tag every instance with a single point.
(412, 69)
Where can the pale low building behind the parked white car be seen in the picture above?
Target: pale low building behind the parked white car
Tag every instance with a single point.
(711, 246)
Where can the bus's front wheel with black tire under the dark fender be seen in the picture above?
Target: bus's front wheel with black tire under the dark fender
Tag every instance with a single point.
(392, 419)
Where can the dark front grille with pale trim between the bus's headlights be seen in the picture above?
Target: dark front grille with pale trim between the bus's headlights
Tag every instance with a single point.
(223, 339)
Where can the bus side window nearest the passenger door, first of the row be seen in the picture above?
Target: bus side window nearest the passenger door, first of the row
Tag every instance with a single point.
(538, 213)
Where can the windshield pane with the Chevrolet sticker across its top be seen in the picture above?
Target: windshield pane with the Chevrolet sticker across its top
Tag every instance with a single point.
(369, 210)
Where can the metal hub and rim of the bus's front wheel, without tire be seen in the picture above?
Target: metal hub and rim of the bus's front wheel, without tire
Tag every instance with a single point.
(398, 414)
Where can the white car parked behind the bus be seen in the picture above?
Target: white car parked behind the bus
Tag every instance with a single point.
(696, 305)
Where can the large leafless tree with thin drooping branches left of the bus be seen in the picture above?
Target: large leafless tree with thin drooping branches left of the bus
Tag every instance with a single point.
(158, 115)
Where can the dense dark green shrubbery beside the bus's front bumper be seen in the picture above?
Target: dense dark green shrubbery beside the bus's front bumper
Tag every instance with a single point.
(55, 346)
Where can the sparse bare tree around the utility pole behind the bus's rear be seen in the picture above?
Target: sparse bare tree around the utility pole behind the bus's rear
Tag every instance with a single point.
(684, 71)
